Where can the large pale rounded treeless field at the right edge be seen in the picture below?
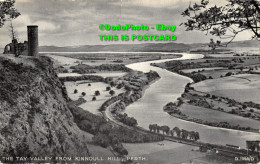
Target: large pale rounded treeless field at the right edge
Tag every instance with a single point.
(243, 87)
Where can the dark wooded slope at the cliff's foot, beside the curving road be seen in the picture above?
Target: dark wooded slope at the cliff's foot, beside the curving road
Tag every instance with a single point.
(107, 133)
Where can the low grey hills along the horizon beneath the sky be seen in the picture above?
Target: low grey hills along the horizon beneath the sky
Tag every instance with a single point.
(147, 47)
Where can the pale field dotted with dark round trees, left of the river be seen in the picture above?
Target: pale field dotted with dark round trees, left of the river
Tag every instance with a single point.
(90, 105)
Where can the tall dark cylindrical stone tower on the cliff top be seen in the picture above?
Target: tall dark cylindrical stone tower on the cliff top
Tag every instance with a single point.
(32, 40)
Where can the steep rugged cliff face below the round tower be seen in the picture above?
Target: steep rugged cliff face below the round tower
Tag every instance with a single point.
(34, 116)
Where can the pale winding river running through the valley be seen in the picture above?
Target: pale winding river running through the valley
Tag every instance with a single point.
(149, 109)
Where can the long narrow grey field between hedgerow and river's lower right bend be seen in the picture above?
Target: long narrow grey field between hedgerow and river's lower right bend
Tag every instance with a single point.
(218, 116)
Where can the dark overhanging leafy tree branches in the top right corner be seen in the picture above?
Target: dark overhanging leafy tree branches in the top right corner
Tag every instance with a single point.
(224, 21)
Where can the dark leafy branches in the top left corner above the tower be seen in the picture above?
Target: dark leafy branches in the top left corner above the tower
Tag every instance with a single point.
(8, 12)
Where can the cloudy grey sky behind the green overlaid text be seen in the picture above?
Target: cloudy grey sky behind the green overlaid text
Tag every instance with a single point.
(76, 22)
